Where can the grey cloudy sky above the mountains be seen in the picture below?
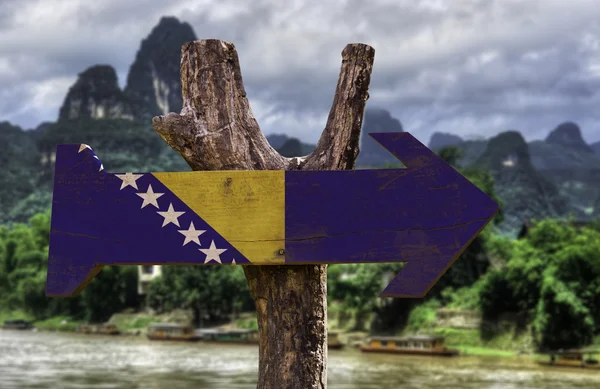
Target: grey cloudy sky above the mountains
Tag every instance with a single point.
(469, 67)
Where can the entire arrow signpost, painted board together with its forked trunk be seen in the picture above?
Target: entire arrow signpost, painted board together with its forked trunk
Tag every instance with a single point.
(247, 205)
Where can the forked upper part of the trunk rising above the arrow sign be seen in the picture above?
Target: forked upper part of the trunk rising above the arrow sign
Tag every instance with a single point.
(216, 129)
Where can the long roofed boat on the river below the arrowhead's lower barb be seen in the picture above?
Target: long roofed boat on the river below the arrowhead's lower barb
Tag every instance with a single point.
(414, 345)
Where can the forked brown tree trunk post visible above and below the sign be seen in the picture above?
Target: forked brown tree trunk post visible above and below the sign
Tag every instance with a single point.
(216, 130)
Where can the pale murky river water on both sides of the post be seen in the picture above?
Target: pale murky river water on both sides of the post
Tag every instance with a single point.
(45, 360)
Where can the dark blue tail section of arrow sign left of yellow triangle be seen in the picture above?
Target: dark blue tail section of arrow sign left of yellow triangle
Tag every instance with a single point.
(100, 218)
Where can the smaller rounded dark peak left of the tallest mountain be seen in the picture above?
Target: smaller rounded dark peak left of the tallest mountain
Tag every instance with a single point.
(96, 95)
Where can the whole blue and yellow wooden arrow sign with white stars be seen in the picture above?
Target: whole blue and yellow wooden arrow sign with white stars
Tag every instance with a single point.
(425, 215)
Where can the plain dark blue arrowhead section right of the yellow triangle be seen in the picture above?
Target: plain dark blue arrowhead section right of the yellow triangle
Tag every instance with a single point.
(425, 215)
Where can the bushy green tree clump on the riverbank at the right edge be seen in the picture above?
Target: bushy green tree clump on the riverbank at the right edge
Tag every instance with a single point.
(553, 276)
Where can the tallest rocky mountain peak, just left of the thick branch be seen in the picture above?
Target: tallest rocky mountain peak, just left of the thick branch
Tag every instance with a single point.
(153, 82)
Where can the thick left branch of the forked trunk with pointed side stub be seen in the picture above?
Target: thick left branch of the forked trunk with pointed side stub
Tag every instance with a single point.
(216, 129)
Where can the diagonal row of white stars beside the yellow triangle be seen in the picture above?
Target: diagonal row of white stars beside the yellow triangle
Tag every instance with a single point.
(171, 216)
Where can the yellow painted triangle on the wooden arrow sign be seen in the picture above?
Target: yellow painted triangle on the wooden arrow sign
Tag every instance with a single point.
(247, 207)
